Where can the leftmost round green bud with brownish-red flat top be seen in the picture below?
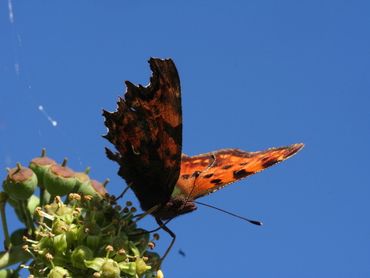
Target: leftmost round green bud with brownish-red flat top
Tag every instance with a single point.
(20, 183)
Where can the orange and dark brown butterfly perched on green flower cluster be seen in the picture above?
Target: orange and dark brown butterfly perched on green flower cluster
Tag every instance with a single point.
(146, 130)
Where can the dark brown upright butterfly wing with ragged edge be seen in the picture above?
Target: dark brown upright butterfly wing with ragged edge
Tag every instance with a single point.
(146, 130)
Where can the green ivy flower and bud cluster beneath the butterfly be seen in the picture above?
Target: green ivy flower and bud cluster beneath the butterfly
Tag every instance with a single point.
(86, 235)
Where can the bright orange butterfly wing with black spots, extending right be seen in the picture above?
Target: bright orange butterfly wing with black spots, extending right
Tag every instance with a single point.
(206, 173)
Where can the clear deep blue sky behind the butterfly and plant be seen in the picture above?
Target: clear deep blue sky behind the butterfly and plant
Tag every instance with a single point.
(254, 74)
